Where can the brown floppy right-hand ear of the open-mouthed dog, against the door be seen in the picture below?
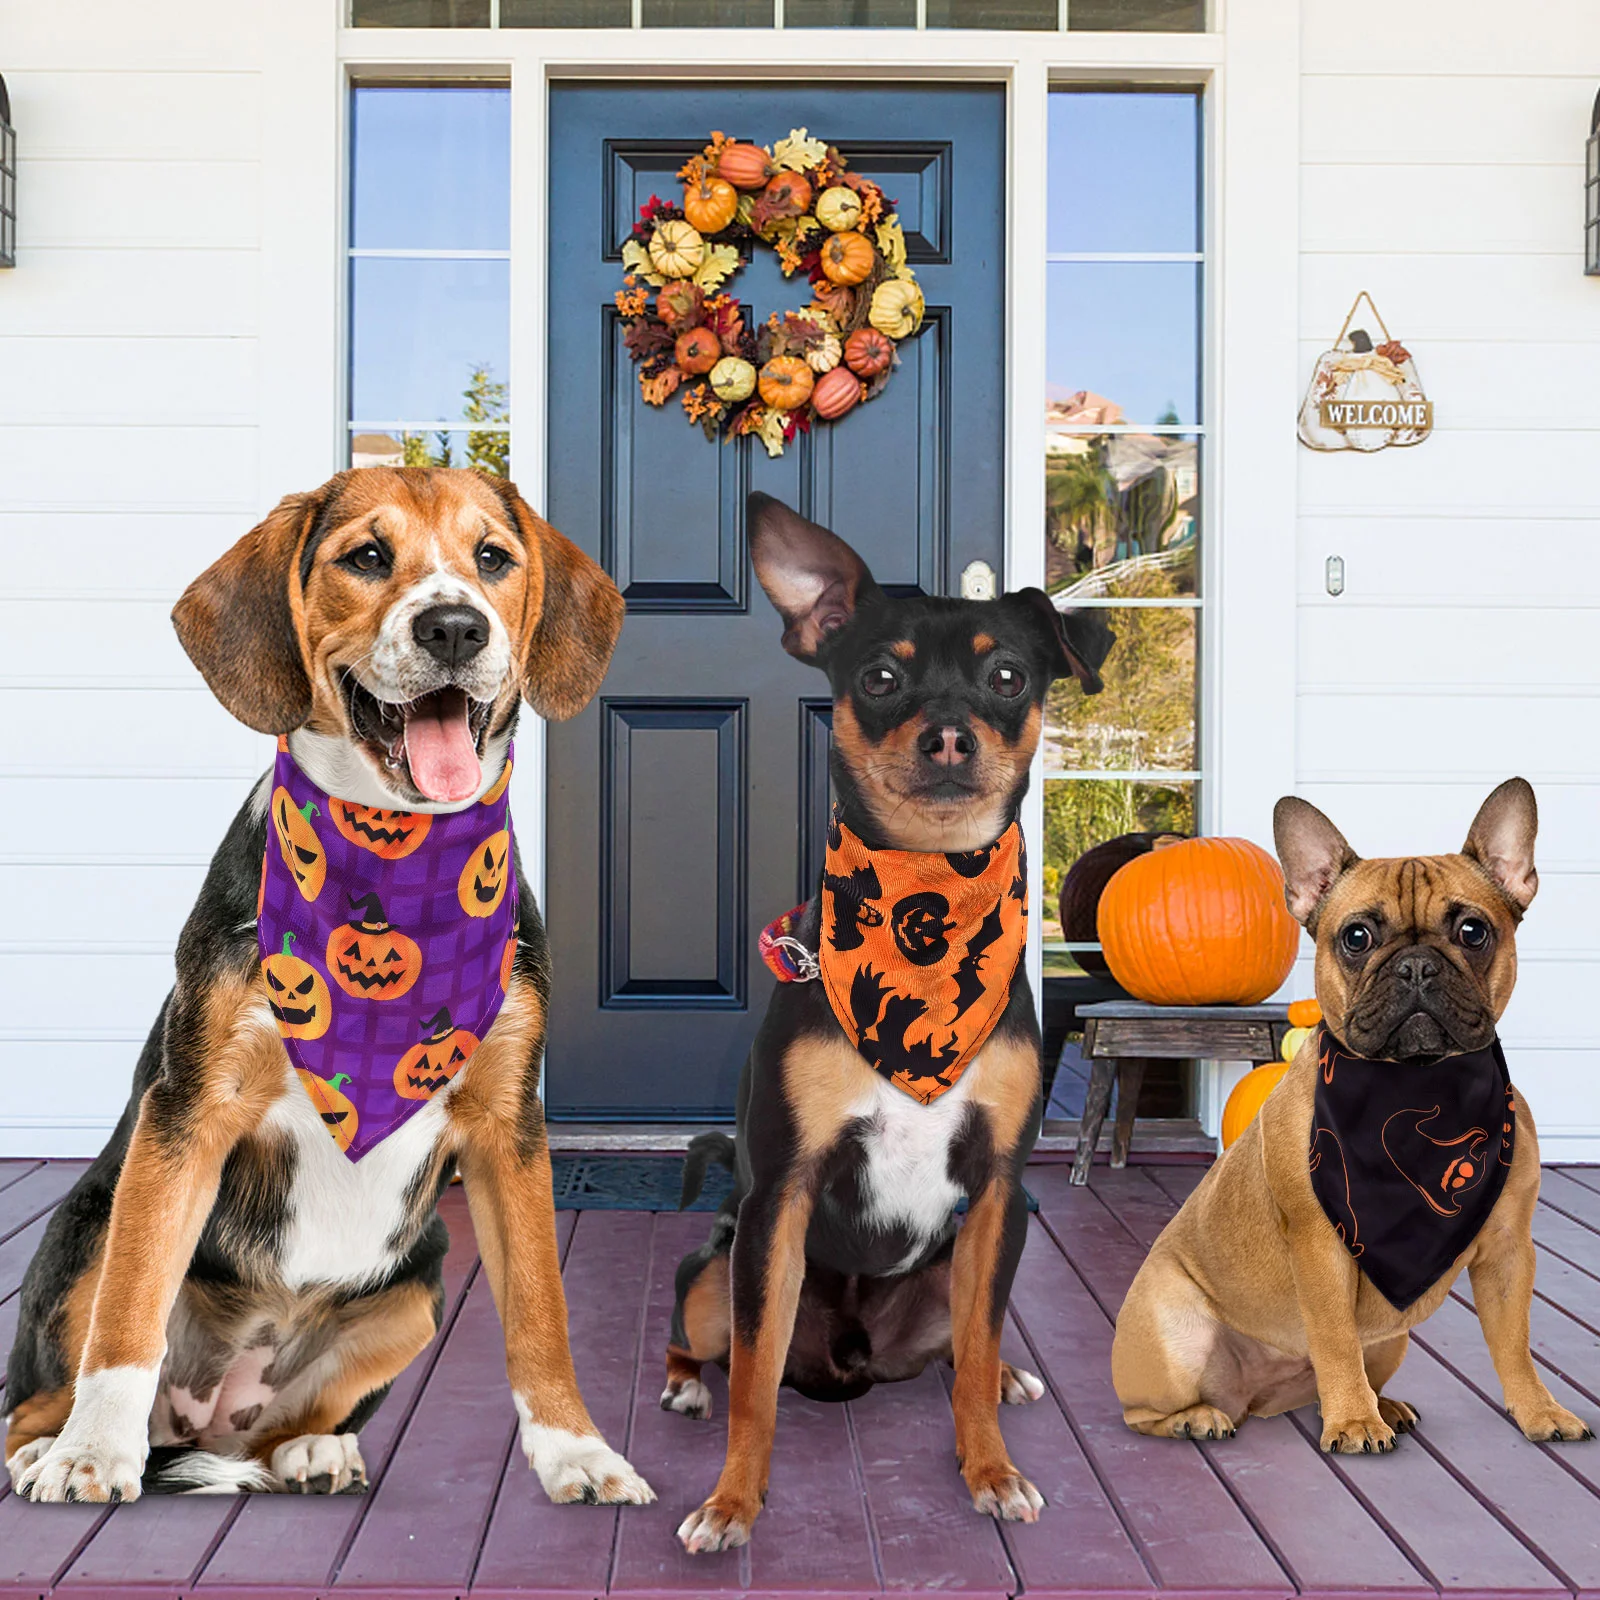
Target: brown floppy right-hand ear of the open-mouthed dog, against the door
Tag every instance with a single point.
(578, 615)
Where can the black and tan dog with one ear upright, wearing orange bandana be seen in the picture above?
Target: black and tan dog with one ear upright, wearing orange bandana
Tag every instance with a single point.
(838, 1263)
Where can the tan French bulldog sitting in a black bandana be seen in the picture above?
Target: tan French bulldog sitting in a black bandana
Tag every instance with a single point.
(1260, 1297)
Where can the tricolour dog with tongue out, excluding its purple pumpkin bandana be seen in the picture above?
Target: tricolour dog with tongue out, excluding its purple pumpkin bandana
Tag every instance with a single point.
(223, 1282)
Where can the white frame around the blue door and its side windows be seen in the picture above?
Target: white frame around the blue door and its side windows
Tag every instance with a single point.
(1250, 73)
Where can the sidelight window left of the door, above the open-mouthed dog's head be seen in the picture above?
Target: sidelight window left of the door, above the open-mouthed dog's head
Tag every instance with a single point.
(431, 278)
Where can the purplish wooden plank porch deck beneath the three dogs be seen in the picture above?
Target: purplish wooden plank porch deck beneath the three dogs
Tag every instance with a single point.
(865, 1497)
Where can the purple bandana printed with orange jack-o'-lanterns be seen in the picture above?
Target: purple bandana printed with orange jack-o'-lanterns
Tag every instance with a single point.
(386, 946)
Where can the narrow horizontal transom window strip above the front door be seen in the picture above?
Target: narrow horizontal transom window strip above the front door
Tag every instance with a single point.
(1142, 17)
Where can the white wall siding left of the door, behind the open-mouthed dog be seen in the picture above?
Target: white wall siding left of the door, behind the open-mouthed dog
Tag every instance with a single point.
(129, 460)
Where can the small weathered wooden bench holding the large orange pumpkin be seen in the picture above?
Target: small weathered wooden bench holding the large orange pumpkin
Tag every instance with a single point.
(1122, 1036)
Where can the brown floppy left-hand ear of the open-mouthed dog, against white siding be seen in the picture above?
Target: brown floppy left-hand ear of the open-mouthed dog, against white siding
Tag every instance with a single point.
(238, 620)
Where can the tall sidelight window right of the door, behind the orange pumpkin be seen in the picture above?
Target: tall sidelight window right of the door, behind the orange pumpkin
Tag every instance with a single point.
(1122, 473)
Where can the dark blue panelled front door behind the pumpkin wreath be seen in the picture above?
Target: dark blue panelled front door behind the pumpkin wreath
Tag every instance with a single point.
(687, 806)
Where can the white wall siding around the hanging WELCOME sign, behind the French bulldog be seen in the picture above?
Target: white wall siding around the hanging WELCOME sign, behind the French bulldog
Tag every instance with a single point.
(1441, 169)
